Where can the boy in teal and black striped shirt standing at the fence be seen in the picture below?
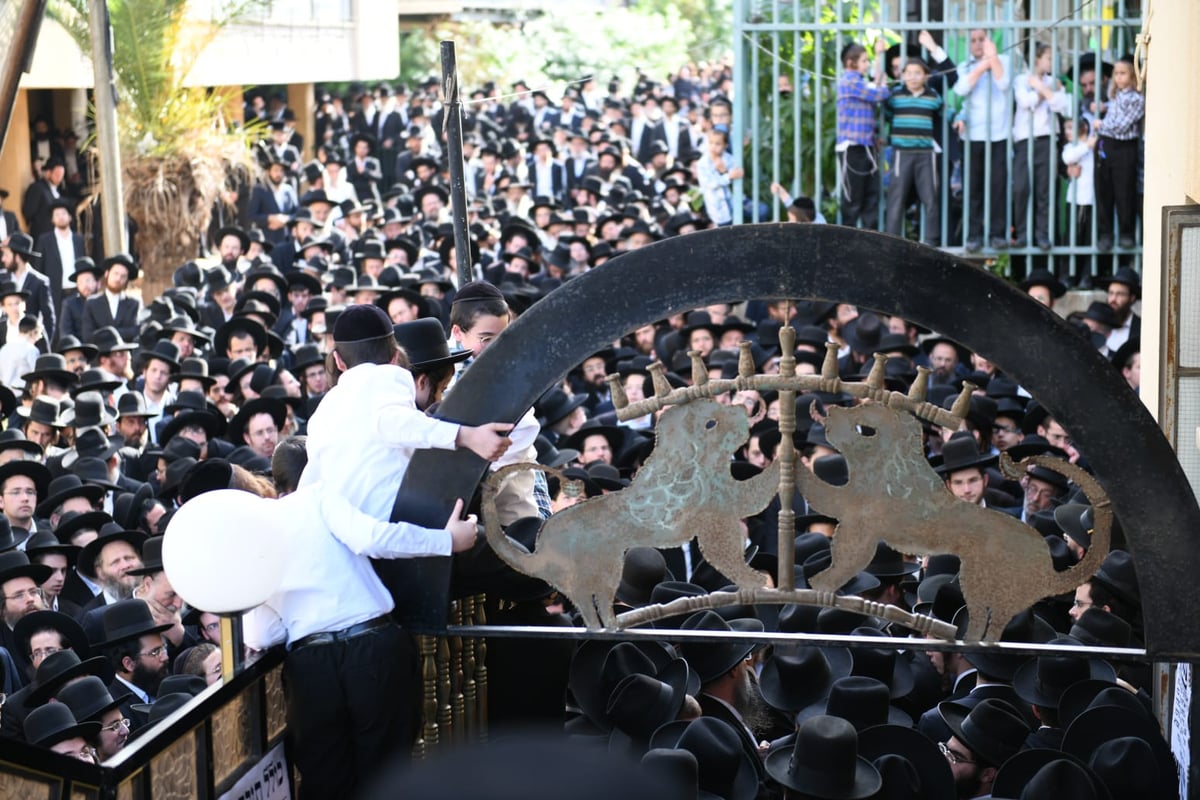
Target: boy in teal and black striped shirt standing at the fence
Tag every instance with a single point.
(914, 110)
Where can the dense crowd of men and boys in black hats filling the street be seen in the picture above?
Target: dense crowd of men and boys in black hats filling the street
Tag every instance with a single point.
(327, 306)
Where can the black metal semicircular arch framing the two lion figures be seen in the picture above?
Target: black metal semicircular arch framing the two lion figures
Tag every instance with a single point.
(1129, 452)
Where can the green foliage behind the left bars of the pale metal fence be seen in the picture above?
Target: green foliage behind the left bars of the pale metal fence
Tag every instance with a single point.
(808, 68)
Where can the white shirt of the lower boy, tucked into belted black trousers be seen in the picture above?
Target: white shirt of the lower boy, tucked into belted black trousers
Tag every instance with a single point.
(329, 584)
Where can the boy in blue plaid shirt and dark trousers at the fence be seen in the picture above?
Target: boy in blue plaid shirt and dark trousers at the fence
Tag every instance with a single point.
(857, 103)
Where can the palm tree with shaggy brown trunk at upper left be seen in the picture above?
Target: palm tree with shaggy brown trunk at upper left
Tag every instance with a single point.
(178, 143)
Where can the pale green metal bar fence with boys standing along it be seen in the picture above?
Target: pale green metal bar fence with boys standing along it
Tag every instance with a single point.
(787, 69)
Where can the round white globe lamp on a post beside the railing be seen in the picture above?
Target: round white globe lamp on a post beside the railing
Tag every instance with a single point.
(225, 551)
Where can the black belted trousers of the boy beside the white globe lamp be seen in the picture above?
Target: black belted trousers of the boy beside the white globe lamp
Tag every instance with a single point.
(353, 708)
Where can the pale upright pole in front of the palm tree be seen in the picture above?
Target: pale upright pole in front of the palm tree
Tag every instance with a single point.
(110, 148)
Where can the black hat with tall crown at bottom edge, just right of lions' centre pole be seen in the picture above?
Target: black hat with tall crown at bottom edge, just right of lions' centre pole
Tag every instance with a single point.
(824, 762)
